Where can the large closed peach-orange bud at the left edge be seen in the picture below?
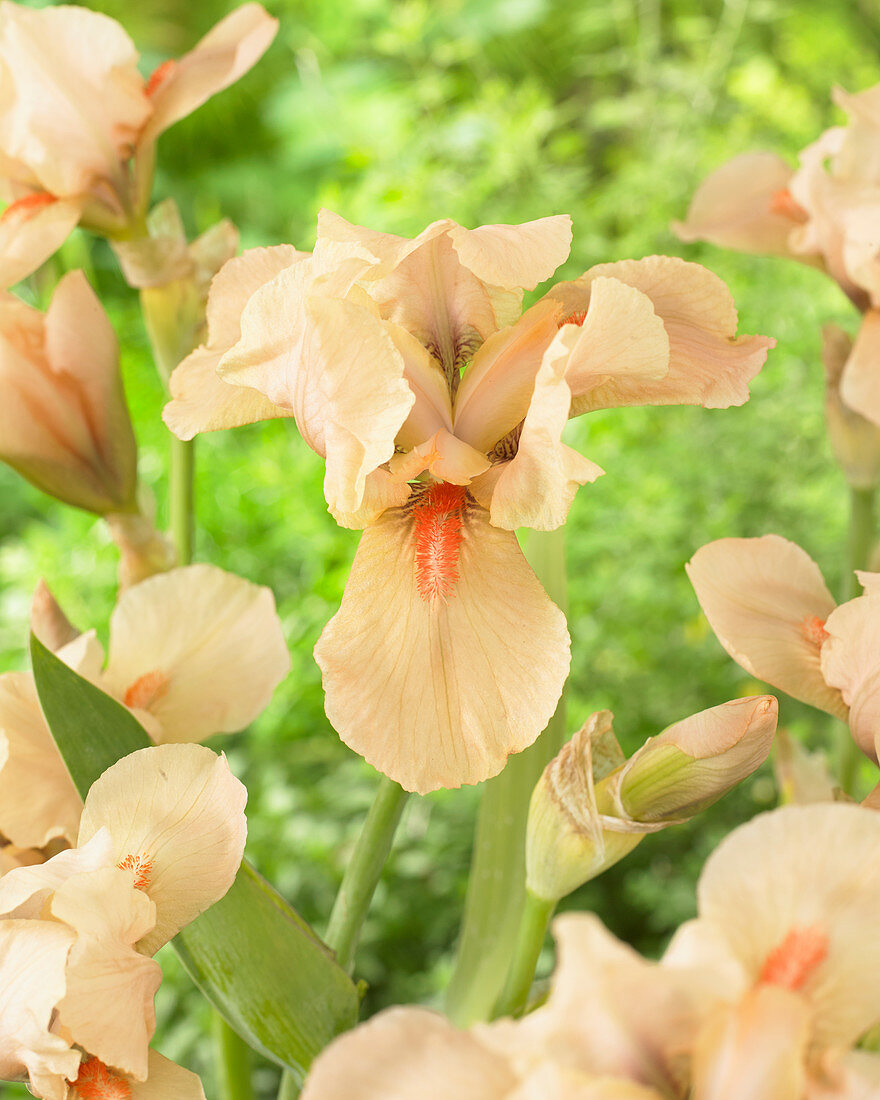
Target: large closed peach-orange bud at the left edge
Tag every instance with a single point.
(64, 424)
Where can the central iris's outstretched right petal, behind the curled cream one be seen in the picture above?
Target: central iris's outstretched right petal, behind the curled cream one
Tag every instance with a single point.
(709, 365)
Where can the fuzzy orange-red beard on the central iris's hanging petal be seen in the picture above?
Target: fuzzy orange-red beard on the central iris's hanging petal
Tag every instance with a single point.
(437, 525)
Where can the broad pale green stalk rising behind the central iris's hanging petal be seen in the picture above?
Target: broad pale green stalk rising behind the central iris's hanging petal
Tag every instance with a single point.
(497, 888)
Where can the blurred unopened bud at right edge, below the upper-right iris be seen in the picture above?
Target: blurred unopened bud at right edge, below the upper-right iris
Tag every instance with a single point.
(854, 439)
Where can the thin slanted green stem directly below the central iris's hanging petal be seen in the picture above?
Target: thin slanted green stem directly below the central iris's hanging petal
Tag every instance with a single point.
(362, 875)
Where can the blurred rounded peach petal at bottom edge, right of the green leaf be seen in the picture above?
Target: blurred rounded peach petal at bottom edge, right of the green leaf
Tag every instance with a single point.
(409, 1054)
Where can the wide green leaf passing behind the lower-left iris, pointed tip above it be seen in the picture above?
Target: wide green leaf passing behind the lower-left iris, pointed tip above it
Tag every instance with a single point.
(255, 958)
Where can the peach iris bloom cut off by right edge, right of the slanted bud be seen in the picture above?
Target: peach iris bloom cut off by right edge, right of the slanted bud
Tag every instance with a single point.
(768, 604)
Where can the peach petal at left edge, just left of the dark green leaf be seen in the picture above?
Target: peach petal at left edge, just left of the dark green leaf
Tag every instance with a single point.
(38, 798)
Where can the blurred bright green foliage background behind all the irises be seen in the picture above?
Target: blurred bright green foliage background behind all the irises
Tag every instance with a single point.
(394, 115)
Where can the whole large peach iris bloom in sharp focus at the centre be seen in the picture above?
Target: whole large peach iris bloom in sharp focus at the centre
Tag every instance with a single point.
(365, 344)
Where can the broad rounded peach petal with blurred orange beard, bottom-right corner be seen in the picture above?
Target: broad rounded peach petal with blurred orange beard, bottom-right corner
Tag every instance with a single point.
(795, 894)
